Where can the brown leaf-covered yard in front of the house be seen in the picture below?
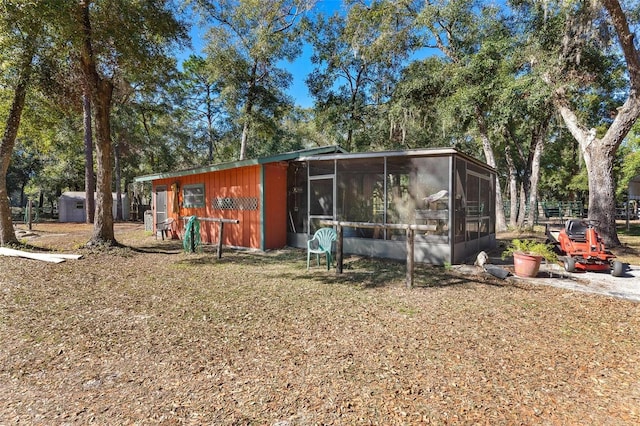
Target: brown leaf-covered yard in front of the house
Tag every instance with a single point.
(147, 334)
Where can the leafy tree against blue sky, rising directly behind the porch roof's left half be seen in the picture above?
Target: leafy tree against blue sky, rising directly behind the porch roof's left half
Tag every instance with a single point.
(357, 61)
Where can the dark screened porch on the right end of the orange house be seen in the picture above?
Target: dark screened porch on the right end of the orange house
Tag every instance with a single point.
(451, 194)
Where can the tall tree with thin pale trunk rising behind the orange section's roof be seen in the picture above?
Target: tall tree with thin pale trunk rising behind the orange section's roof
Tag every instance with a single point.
(247, 43)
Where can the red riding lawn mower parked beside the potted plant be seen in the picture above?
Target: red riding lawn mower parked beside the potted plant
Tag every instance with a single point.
(581, 248)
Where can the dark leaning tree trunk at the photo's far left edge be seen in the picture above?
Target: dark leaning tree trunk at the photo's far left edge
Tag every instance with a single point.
(7, 234)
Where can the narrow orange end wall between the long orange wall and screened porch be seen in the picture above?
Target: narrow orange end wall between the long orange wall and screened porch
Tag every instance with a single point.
(275, 208)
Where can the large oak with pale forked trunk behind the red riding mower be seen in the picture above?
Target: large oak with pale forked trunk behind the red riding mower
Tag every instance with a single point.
(587, 54)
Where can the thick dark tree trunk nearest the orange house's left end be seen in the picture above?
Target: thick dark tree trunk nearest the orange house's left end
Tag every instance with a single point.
(101, 91)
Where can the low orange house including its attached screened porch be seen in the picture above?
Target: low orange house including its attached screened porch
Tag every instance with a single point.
(282, 200)
